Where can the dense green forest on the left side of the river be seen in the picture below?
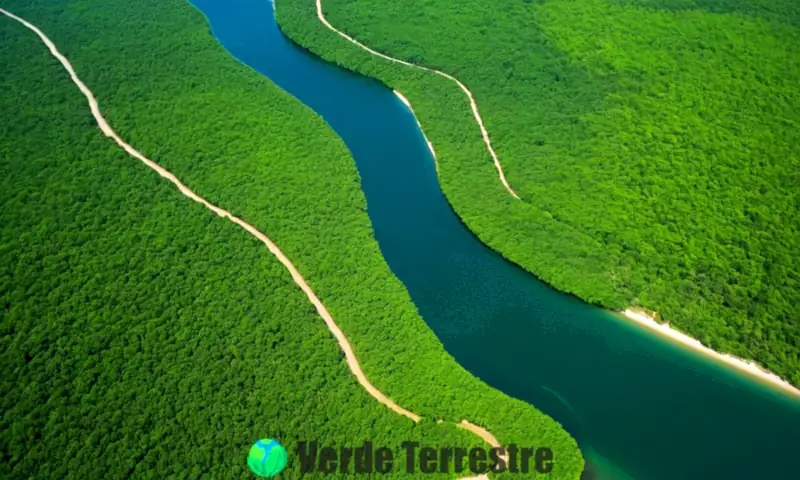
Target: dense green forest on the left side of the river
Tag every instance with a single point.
(142, 336)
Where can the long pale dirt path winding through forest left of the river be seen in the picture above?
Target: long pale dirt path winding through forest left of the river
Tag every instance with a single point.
(352, 360)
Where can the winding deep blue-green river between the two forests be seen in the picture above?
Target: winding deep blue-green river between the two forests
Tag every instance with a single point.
(639, 406)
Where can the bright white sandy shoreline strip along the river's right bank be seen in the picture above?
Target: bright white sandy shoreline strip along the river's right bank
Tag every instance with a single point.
(739, 364)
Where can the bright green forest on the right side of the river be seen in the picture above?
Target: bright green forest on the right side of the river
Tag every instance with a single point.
(655, 145)
